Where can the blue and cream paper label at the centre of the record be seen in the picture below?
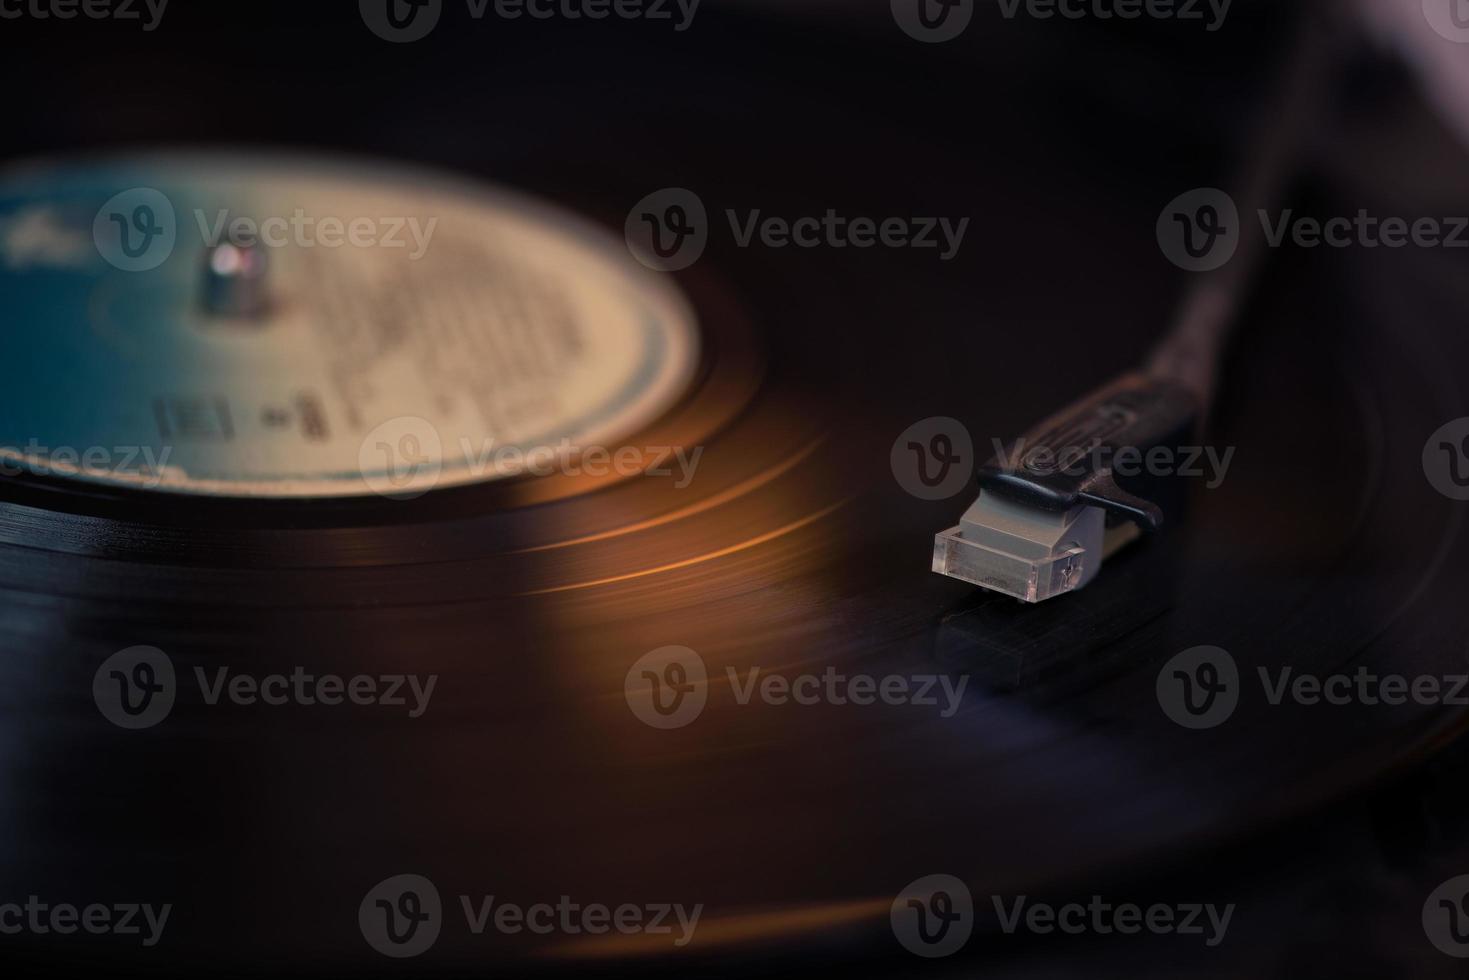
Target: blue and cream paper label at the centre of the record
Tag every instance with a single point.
(302, 328)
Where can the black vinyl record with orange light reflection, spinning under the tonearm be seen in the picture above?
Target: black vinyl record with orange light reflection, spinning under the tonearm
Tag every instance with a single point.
(544, 569)
